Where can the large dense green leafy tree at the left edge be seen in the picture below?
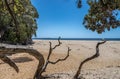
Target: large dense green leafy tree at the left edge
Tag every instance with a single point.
(20, 25)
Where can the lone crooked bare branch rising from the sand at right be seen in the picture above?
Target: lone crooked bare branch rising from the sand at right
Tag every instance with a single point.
(88, 59)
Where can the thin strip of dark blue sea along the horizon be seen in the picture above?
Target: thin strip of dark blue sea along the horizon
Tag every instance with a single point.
(87, 39)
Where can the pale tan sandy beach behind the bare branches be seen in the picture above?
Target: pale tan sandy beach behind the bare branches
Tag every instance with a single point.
(106, 66)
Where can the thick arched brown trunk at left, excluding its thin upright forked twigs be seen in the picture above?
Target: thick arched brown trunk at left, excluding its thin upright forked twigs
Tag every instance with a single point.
(33, 52)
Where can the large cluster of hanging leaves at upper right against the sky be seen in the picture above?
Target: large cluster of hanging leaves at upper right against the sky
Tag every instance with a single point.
(102, 15)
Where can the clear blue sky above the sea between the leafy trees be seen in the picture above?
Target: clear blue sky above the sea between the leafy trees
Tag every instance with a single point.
(63, 18)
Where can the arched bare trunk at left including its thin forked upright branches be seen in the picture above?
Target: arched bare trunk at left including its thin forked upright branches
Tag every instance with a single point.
(4, 51)
